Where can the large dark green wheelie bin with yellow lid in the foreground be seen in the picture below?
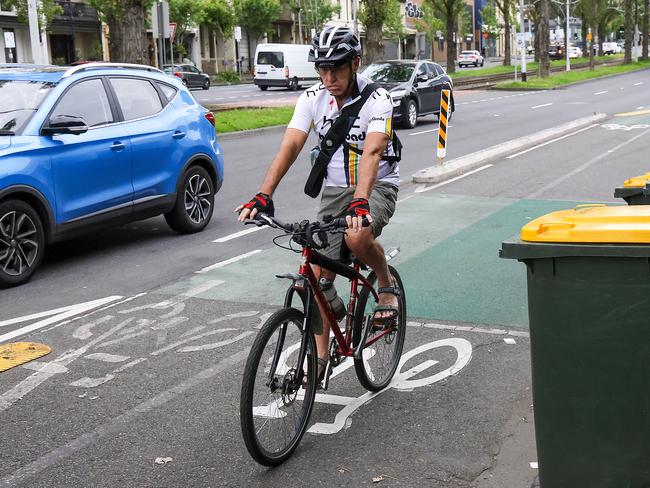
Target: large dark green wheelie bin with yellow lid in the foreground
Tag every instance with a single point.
(588, 278)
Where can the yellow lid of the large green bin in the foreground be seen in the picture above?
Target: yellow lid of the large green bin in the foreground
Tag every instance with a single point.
(592, 224)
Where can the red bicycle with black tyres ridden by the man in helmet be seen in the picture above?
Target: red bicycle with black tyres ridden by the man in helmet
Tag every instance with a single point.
(281, 373)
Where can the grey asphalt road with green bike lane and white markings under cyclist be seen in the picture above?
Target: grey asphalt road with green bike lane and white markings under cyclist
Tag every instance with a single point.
(154, 369)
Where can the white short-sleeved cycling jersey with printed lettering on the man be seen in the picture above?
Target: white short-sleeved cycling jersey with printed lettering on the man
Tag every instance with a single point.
(317, 107)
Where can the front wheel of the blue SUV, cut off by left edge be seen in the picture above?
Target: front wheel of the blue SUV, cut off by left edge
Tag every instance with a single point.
(22, 242)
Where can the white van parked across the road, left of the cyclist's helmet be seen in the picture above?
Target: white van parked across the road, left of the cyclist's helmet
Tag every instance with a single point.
(283, 65)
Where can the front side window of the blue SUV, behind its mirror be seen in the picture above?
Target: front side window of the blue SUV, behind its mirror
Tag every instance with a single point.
(88, 100)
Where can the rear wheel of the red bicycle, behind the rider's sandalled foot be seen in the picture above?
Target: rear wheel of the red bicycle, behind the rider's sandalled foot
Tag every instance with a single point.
(378, 361)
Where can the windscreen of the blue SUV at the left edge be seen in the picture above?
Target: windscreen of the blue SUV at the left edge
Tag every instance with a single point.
(18, 102)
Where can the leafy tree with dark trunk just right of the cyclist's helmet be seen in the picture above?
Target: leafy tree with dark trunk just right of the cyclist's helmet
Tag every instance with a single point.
(375, 15)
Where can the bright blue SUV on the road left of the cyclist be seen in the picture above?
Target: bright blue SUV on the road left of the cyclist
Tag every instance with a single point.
(98, 144)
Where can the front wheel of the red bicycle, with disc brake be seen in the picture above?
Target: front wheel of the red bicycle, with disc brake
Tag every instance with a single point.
(274, 410)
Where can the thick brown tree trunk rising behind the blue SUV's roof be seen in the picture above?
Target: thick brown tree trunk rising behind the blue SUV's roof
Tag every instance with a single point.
(128, 34)
